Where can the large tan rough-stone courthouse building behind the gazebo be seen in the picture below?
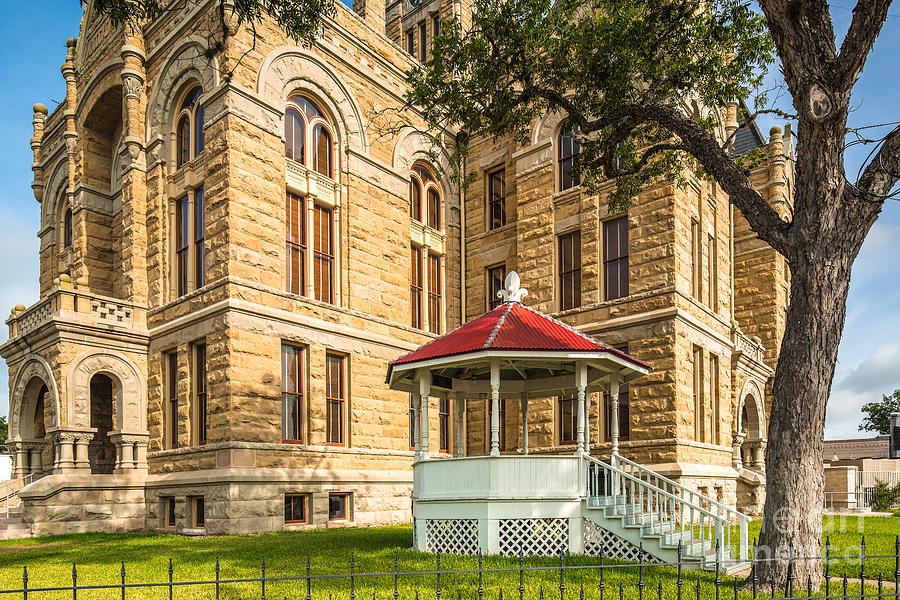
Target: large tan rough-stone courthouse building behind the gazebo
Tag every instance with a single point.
(232, 250)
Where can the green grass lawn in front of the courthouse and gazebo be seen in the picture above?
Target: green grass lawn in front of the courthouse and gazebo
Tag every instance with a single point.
(98, 559)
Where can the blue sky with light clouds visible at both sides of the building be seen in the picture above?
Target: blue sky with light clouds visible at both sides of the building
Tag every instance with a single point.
(869, 356)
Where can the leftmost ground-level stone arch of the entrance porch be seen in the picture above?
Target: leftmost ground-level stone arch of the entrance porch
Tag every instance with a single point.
(32, 377)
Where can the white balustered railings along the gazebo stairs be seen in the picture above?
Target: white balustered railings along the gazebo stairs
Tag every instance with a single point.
(668, 507)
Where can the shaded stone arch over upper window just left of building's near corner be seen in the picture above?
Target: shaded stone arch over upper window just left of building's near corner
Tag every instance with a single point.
(185, 65)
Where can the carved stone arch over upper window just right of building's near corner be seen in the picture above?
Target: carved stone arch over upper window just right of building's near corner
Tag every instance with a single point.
(278, 80)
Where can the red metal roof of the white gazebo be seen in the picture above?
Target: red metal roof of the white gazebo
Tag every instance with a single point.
(511, 326)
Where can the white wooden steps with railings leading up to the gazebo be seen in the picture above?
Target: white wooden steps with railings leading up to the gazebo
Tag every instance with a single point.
(660, 517)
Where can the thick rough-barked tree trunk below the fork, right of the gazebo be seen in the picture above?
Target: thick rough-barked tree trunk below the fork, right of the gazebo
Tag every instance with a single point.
(792, 519)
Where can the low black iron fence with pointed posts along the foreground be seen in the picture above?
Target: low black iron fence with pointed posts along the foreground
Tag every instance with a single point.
(569, 578)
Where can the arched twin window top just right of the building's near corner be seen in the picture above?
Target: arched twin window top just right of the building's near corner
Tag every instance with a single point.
(305, 126)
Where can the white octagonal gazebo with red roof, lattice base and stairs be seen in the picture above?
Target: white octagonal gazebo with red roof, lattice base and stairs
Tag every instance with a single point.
(543, 504)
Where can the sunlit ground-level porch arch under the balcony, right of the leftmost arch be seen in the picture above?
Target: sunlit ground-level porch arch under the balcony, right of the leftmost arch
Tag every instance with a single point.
(128, 390)
